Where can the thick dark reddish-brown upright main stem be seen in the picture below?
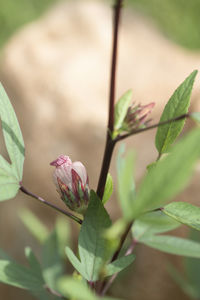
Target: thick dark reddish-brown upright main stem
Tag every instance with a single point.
(109, 142)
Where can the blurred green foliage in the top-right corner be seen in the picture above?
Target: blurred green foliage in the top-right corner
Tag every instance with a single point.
(178, 19)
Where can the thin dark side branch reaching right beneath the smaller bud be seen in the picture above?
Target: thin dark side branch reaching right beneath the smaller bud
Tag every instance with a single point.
(122, 137)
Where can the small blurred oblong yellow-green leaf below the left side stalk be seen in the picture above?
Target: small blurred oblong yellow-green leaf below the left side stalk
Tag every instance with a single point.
(34, 225)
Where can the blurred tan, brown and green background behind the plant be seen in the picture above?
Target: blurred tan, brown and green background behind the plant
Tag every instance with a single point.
(54, 64)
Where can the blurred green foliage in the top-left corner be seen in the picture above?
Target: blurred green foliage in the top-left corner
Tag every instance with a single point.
(14, 14)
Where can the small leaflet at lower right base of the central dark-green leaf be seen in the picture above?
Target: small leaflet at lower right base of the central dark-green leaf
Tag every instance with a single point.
(119, 264)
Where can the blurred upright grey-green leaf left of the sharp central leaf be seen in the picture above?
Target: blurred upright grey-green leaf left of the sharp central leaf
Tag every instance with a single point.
(52, 263)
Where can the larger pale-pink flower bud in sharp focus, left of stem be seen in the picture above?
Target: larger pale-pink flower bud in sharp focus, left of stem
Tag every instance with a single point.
(71, 181)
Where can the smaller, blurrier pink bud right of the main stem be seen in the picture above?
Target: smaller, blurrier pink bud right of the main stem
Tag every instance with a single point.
(136, 116)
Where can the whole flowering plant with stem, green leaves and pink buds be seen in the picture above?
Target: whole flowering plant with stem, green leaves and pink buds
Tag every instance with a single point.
(146, 211)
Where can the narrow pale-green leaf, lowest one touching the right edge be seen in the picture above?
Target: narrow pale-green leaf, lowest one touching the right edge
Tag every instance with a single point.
(173, 245)
